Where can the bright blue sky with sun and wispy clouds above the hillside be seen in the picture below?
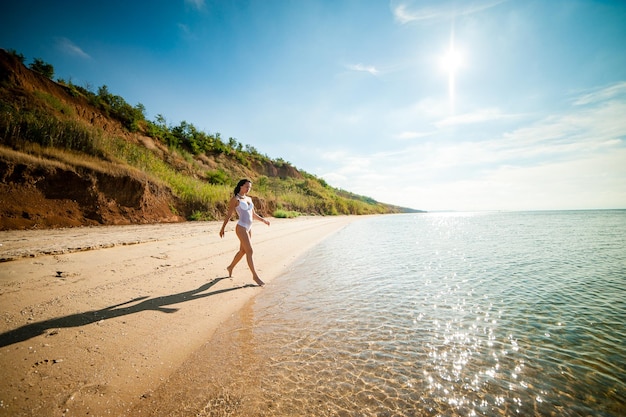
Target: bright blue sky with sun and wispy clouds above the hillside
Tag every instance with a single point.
(434, 105)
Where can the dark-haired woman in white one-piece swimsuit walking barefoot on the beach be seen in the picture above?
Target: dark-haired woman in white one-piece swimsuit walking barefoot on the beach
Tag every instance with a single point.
(242, 203)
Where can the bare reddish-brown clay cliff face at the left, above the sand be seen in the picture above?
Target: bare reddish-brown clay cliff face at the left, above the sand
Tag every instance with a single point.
(36, 195)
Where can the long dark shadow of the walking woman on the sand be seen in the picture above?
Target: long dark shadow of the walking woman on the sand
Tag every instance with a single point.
(142, 304)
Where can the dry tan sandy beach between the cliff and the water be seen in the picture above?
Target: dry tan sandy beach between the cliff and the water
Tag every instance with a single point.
(94, 320)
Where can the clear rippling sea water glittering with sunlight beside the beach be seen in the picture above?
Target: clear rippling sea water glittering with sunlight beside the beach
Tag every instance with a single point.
(517, 314)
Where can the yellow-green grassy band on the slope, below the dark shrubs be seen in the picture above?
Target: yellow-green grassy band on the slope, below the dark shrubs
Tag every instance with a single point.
(78, 144)
